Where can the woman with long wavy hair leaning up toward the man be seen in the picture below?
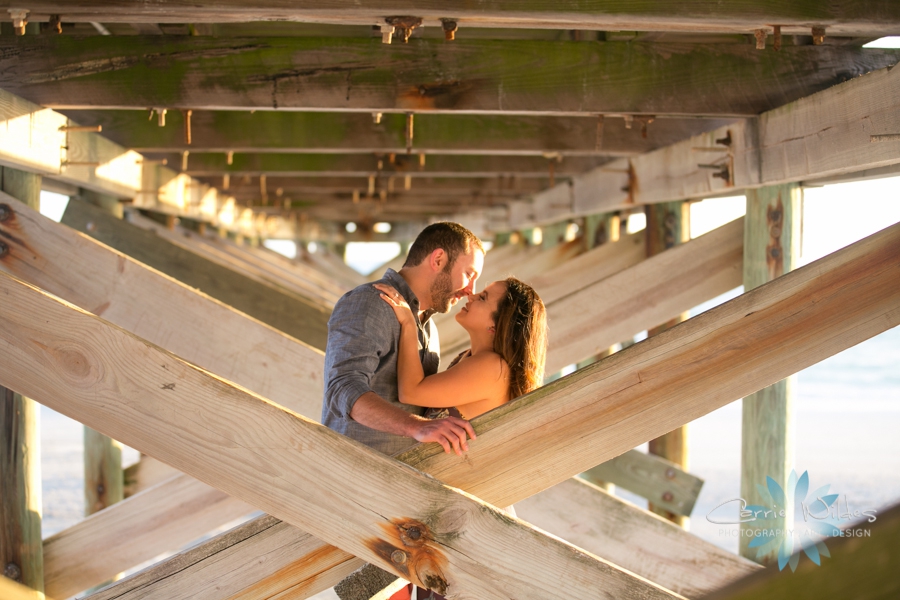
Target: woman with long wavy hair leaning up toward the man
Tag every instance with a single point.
(507, 326)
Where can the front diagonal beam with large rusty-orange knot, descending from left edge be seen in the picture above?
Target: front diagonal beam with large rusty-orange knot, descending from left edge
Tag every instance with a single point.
(284, 464)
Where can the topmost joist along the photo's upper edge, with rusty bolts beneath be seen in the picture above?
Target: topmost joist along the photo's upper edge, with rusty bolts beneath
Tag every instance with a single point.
(843, 17)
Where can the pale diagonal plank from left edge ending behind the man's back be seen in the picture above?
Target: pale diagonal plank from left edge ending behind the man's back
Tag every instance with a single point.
(162, 310)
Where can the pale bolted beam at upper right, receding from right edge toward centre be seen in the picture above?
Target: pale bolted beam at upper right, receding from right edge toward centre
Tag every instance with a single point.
(827, 134)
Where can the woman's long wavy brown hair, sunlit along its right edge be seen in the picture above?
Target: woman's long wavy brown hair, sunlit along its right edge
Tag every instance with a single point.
(520, 336)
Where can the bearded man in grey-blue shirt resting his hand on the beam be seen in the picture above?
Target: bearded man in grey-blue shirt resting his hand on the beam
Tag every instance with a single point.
(361, 397)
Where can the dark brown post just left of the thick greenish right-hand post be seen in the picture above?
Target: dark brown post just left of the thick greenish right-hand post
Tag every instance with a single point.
(668, 224)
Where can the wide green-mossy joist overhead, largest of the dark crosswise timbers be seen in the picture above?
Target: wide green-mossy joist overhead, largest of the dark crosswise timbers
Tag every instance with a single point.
(488, 77)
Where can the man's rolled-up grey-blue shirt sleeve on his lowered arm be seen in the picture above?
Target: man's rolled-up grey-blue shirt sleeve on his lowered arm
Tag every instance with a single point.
(361, 334)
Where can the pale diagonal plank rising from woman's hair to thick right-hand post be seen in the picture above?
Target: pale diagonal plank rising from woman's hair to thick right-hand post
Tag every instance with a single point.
(652, 291)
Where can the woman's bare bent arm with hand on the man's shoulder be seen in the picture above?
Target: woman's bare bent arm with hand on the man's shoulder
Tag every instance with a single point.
(474, 379)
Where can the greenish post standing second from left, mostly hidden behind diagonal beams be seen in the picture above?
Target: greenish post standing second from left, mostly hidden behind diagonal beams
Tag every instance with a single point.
(103, 478)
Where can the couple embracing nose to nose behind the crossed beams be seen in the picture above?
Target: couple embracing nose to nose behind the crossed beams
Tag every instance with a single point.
(382, 385)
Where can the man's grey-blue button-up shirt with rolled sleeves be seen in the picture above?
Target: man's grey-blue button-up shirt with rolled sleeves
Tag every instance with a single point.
(361, 356)
